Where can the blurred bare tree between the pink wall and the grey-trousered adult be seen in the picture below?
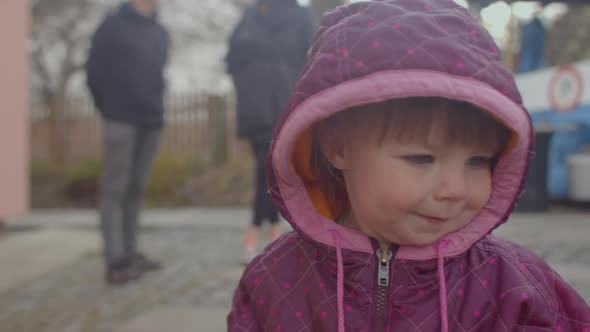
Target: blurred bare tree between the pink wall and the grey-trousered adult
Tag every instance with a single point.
(60, 35)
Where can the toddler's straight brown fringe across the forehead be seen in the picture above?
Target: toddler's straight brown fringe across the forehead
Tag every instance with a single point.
(438, 121)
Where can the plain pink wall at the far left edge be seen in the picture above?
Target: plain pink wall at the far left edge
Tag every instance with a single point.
(14, 138)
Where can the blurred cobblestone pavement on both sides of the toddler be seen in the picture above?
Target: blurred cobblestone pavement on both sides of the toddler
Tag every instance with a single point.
(202, 267)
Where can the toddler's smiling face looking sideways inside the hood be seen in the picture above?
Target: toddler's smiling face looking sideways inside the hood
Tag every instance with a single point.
(414, 193)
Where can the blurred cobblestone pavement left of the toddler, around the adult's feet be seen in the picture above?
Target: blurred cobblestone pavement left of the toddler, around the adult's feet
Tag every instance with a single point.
(201, 269)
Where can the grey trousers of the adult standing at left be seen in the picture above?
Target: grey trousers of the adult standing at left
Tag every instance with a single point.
(128, 155)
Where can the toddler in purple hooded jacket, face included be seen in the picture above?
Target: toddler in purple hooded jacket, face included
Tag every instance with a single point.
(404, 145)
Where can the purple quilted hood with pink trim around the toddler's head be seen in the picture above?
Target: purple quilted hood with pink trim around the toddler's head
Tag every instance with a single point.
(432, 48)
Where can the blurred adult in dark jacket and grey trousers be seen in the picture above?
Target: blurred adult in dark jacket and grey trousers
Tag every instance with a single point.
(125, 77)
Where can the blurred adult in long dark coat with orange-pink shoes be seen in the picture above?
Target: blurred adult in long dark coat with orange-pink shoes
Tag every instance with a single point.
(266, 52)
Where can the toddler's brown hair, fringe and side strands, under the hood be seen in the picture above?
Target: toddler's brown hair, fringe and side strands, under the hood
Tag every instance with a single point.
(407, 120)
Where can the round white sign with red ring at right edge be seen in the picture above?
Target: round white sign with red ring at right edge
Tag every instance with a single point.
(565, 89)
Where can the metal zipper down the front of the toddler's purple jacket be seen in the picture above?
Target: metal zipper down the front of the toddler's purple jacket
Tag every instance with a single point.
(382, 296)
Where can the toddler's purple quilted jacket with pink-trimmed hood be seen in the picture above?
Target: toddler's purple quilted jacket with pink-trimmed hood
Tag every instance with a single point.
(325, 277)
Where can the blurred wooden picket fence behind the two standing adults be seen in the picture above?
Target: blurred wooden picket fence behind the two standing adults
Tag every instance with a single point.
(196, 125)
